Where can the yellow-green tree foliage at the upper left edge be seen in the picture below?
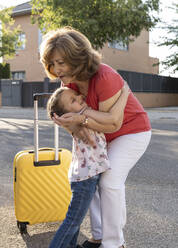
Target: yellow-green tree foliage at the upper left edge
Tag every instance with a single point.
(8, 34)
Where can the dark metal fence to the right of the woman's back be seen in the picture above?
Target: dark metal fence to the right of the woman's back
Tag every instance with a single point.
(143, 82)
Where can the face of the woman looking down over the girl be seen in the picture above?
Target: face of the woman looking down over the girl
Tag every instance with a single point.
(59, 68)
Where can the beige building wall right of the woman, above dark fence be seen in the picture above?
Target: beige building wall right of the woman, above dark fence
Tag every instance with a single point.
(135, 59)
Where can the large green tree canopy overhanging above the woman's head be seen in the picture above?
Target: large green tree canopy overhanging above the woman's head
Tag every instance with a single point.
(99, 20)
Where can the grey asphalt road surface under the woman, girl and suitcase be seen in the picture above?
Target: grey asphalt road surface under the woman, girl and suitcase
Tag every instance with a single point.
(151, 188)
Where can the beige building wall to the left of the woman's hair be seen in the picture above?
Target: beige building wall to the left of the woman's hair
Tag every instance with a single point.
(28, 59)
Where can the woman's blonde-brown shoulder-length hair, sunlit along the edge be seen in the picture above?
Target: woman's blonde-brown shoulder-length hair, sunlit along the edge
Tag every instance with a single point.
(75, 49)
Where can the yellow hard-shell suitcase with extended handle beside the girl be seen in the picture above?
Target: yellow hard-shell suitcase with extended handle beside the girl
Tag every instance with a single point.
(41, 187)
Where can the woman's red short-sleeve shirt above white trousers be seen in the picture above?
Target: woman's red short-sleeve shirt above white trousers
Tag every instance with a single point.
(103, 85)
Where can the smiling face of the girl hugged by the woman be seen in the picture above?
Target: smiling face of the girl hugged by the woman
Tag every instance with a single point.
(73, 101)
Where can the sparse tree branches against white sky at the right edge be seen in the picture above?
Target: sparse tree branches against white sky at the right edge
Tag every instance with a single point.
(171, 41)
